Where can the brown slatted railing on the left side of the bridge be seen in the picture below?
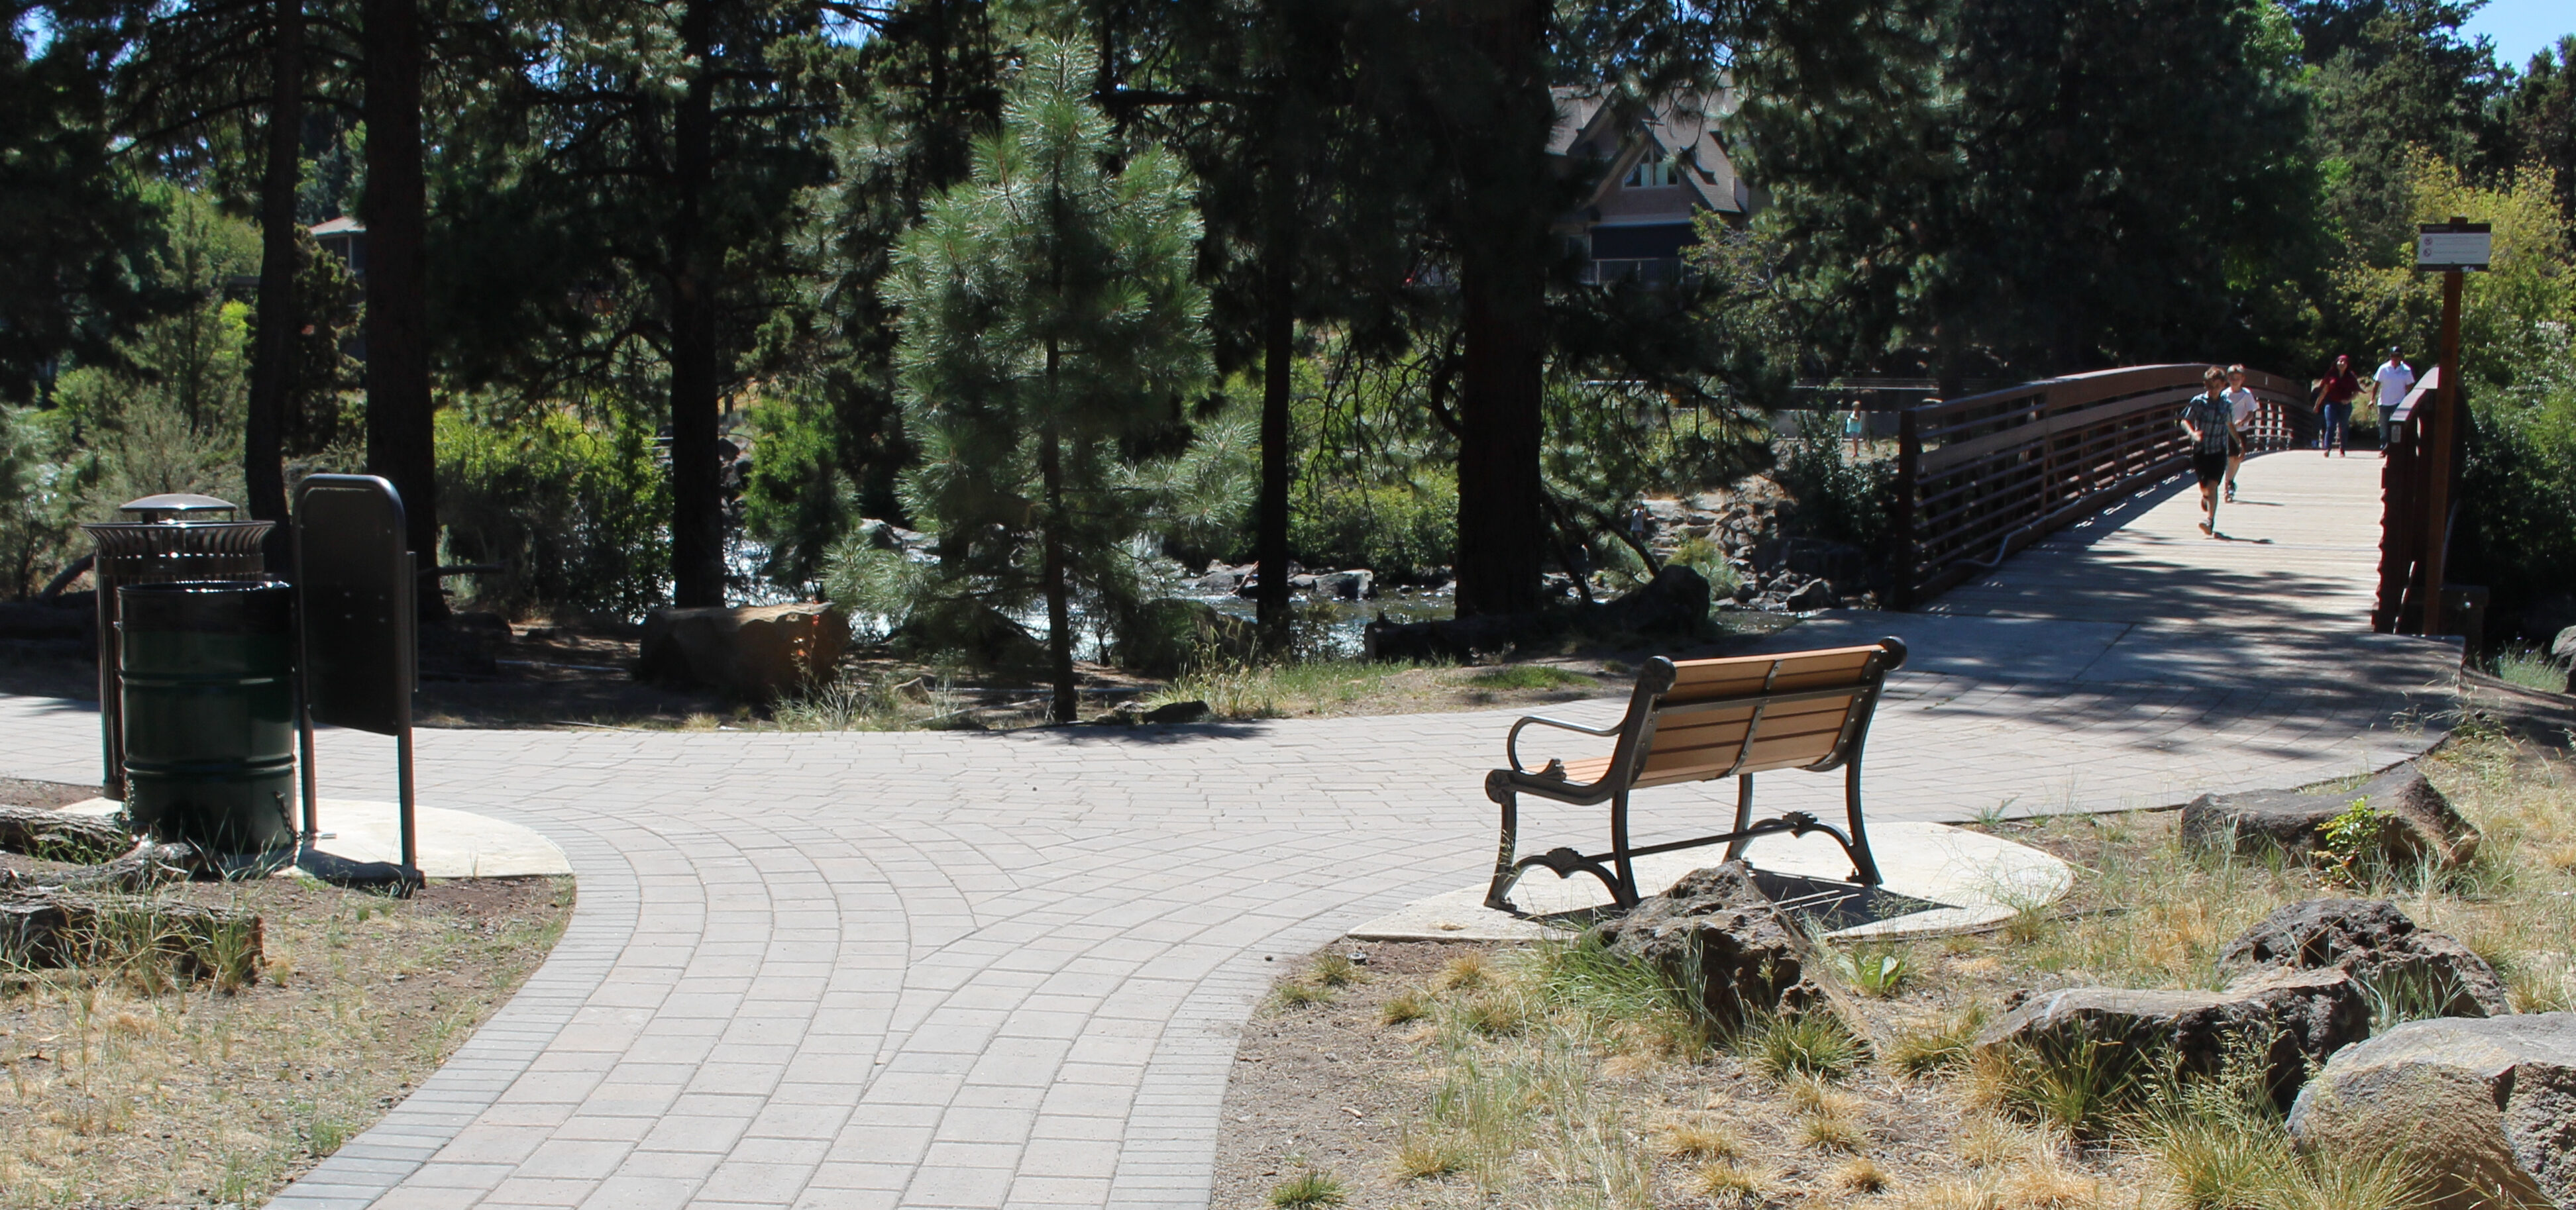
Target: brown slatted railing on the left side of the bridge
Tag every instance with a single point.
(1987, 475)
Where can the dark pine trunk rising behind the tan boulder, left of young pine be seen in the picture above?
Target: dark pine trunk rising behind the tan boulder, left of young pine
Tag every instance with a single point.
(697, 483)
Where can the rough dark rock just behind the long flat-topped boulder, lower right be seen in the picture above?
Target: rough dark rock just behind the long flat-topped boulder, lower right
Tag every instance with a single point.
(2379, 946)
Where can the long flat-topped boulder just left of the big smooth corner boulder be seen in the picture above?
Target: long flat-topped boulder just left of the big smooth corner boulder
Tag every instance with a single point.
(2289, 1016)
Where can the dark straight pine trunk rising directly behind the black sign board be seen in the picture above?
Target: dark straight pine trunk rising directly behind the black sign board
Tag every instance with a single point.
(398, 326)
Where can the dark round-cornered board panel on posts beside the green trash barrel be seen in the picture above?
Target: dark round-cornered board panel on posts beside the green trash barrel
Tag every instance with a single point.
(354, 604)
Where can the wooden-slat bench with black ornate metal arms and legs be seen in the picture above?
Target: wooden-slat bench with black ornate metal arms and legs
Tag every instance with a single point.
(1694, 722)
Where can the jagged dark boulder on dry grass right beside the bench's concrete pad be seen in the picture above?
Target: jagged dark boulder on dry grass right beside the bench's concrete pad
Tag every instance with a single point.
(1722, 938)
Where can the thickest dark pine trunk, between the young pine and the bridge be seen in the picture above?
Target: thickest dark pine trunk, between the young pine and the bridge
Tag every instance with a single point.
(1501, 223)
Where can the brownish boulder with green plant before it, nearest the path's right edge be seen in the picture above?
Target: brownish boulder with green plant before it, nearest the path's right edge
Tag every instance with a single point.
(2423, 823)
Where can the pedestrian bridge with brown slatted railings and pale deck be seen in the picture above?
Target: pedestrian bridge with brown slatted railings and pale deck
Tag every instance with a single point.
(2060, 470)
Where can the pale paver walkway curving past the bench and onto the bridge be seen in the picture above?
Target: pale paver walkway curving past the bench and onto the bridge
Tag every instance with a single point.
(1009, 969)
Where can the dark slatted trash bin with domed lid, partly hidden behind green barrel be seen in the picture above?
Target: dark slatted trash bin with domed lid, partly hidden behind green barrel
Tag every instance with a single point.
(171, 539)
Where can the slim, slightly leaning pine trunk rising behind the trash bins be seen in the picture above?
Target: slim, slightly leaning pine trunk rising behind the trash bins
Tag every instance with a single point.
(274, 349)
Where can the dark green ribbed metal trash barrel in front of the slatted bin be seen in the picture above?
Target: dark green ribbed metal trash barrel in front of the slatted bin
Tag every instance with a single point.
(210, 712)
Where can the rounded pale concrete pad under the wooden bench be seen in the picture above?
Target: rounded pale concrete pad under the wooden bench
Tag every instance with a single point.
(1967, 879)
